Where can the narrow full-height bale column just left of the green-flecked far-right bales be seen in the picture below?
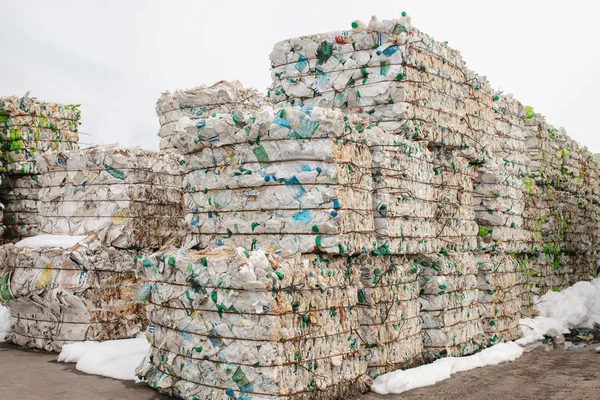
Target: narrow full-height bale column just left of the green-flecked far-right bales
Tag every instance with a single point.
(499, 202)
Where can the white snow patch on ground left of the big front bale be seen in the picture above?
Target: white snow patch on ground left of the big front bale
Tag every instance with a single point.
(116, 359)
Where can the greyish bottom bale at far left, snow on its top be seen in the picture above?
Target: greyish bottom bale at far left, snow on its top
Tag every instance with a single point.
(58, 296)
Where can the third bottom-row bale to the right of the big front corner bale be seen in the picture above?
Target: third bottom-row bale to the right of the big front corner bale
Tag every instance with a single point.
(502, 281)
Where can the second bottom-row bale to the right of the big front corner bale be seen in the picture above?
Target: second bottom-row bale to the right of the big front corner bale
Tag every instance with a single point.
(449, 309)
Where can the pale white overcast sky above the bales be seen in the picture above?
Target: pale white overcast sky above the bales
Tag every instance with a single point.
(116, 57)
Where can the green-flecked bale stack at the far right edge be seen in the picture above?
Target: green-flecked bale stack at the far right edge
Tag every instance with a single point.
(567, 207)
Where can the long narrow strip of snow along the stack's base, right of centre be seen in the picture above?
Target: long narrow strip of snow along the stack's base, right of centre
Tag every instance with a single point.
(402, 380)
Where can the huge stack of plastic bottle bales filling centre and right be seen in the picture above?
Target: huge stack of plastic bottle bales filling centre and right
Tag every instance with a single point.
(386, 157)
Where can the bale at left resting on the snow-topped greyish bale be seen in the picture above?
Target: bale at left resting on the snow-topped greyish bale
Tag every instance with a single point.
(130, 198)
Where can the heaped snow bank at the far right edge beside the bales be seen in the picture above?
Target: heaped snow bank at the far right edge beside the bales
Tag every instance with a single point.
(575, 307)
